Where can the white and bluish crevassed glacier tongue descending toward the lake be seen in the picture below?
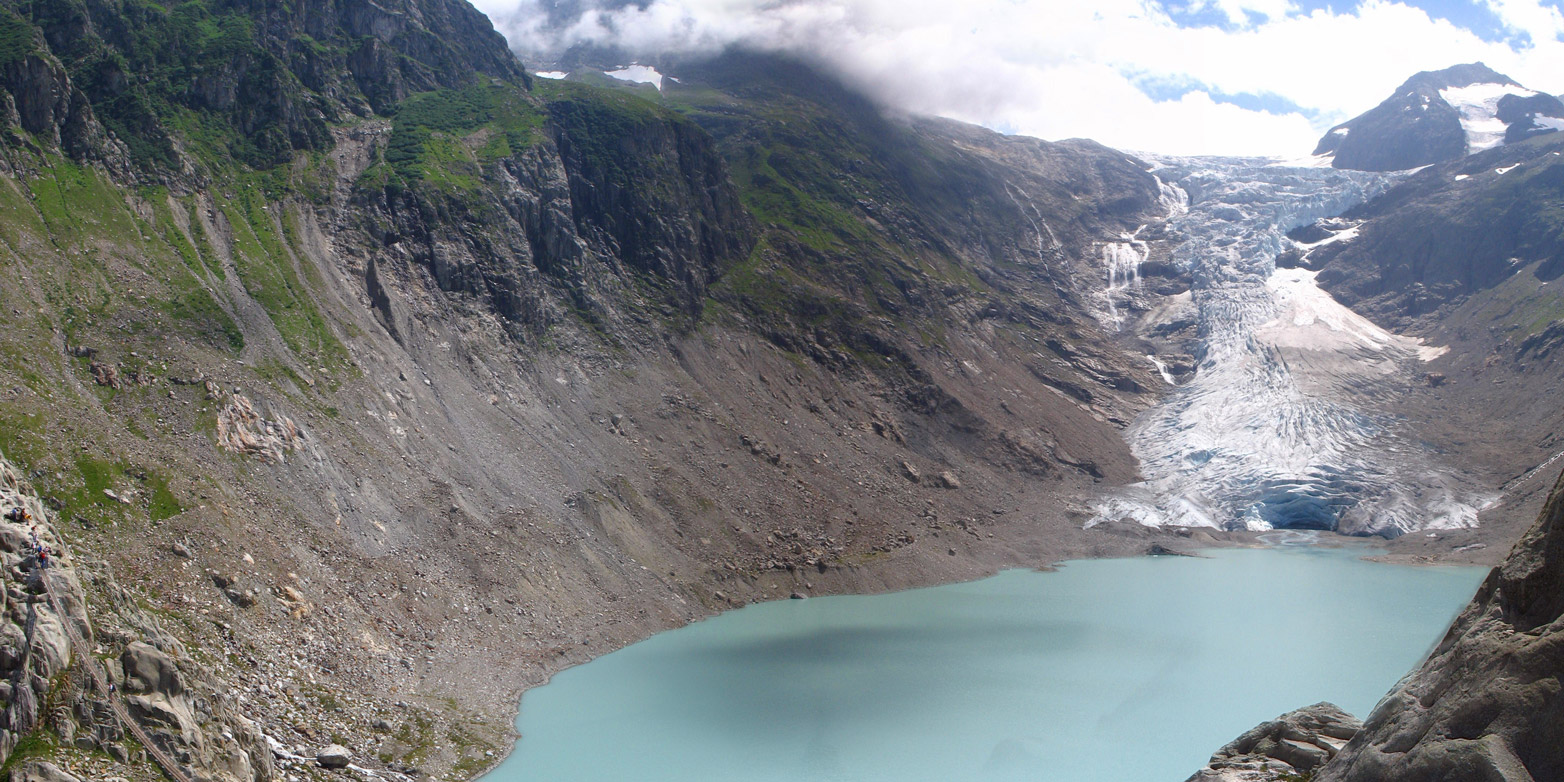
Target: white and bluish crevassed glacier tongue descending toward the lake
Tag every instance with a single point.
(1283, 423)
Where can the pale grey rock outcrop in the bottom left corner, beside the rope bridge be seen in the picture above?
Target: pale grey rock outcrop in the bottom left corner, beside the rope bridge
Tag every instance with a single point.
(181, 705)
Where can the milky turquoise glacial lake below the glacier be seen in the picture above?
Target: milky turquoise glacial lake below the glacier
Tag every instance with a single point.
(1108, 670)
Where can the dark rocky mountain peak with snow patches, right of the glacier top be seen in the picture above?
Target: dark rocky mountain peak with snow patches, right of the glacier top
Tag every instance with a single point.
(1438, 117)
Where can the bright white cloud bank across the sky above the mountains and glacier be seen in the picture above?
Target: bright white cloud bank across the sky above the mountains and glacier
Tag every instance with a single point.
(1060, 68)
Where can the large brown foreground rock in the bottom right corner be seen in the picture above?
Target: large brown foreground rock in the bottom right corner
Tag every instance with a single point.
(1487, 706)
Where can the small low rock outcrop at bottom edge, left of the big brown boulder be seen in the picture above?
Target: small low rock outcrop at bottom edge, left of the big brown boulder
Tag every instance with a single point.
(1294, 744)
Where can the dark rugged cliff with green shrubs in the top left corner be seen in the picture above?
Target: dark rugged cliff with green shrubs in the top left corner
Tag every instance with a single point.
(259, 81)
